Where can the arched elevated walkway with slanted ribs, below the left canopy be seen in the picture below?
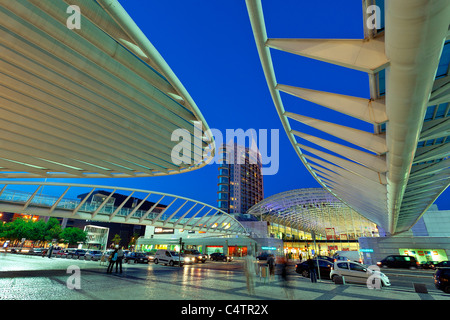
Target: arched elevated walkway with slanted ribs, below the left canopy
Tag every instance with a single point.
(166, 210)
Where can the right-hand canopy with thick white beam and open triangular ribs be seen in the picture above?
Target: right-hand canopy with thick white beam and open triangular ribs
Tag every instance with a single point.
(403, 59)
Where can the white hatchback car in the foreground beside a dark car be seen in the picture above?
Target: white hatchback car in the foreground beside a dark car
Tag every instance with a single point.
(354, 272)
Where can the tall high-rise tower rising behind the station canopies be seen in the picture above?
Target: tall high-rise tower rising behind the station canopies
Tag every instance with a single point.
(240, 178)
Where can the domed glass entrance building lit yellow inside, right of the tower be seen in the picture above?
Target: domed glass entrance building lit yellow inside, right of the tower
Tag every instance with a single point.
(312, 219)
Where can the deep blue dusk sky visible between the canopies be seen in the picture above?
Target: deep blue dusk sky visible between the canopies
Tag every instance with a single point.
(210, 46)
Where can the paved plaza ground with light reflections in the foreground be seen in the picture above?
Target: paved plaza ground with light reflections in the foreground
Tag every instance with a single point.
(38, 278)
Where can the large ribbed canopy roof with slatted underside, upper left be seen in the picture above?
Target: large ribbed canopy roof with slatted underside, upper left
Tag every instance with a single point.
(98, 101)
